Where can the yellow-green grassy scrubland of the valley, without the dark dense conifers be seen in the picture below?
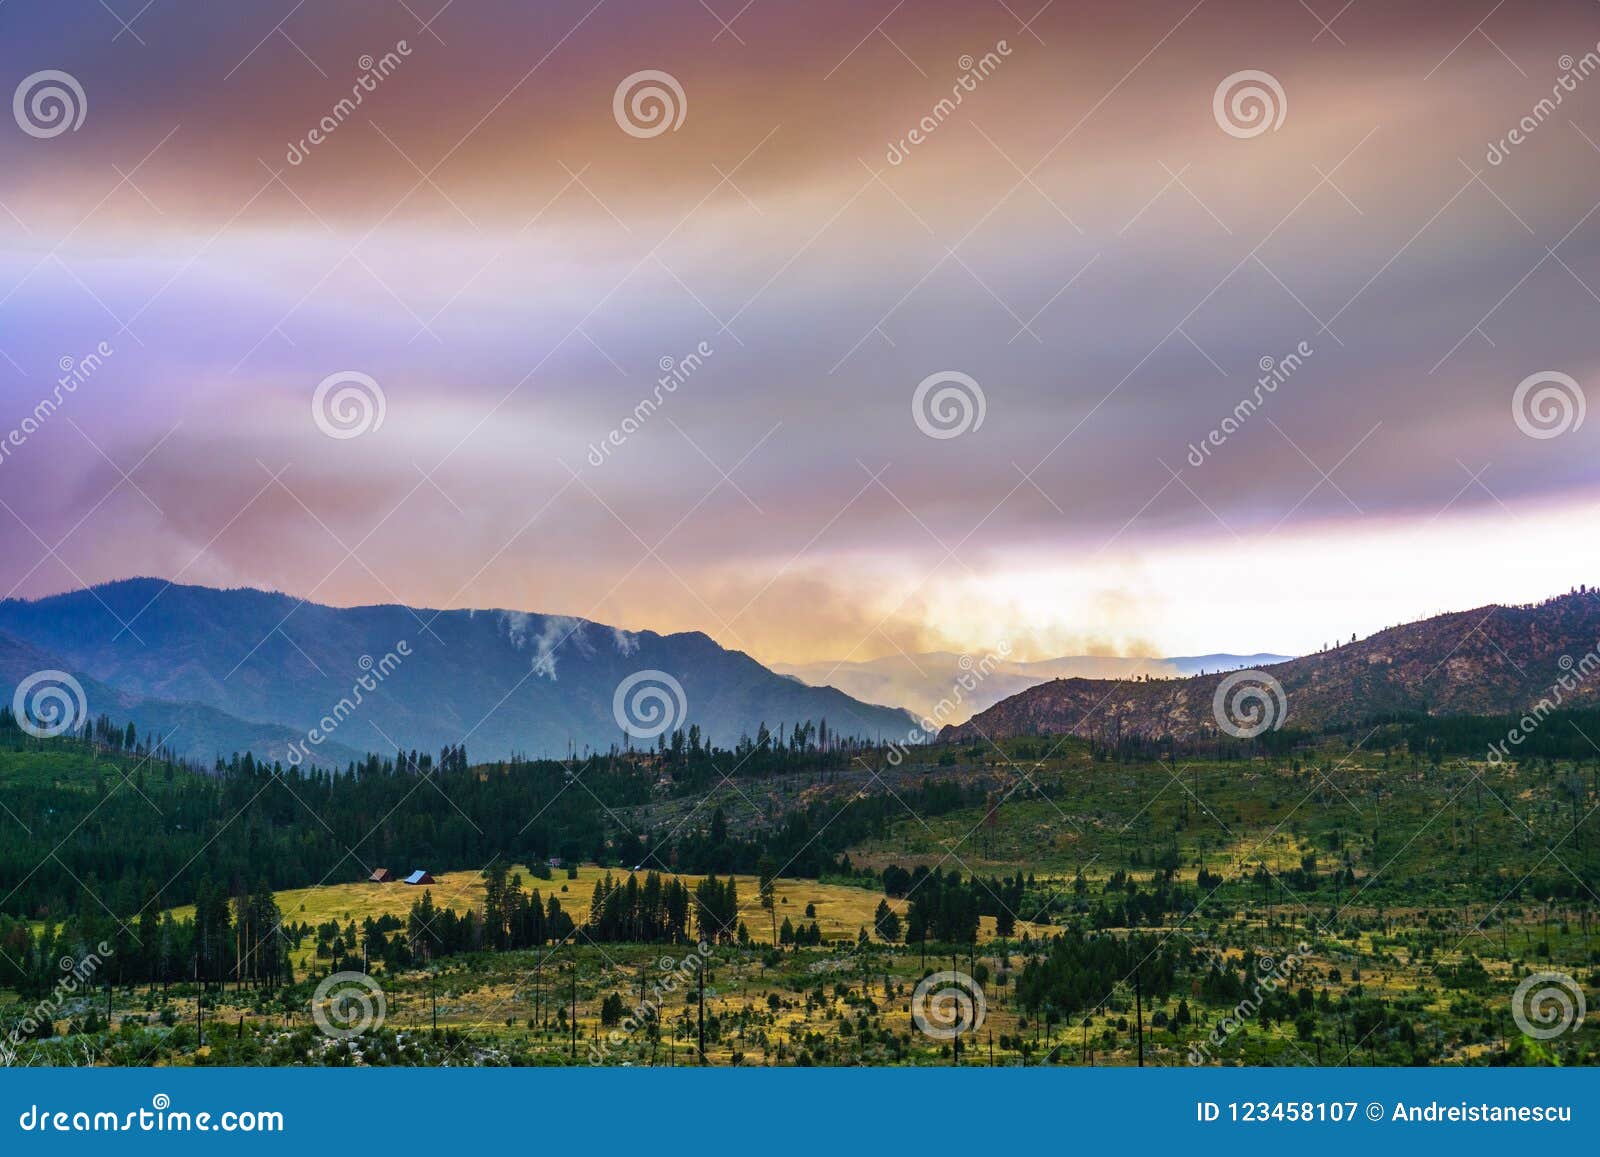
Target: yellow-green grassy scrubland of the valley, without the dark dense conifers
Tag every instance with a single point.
(1414, 897)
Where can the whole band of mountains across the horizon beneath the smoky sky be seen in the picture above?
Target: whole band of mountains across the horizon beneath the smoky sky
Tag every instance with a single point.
(214, 673)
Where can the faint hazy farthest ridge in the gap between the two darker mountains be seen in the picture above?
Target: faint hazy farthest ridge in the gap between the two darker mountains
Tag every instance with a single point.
(922, 683)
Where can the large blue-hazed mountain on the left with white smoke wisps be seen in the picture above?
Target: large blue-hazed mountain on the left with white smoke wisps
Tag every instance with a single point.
(246, 670)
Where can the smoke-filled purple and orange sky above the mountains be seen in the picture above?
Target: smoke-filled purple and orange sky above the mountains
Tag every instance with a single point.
(1094, 252)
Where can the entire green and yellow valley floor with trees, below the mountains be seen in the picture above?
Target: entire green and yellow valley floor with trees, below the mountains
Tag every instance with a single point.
(1367, 899)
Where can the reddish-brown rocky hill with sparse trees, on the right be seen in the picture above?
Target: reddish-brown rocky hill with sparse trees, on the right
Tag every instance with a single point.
(1487, 662)
